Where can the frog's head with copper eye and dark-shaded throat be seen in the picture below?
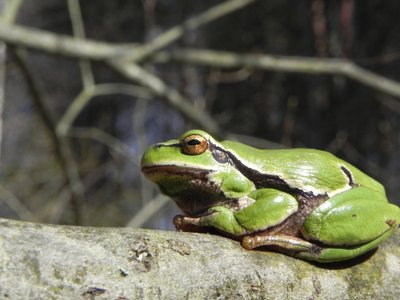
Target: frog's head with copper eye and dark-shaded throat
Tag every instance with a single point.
(195, 171)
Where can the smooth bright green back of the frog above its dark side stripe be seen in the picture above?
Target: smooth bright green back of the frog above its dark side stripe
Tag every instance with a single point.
(314, 170)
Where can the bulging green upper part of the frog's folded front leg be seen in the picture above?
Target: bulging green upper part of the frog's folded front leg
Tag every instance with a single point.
(270, 208)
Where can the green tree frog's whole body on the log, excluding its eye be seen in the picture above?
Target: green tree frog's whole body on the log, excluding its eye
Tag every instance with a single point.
(303, 202)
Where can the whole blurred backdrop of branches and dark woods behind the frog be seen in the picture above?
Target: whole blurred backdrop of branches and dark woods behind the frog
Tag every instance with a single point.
(78, 112)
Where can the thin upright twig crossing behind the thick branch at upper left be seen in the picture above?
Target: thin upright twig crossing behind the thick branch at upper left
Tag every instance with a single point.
(79, 32)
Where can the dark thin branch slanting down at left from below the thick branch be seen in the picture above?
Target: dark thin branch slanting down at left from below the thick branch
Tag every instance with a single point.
(63, 150)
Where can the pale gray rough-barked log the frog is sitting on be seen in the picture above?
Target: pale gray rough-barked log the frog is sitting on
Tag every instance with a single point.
(40, 261)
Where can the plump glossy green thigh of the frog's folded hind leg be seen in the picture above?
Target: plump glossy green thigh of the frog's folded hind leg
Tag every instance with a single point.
(350, 218)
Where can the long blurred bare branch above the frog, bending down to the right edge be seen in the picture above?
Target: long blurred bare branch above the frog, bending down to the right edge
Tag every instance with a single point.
(304, 65)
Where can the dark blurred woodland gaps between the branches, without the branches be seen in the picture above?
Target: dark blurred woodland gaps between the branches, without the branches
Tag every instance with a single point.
(329, 112)
